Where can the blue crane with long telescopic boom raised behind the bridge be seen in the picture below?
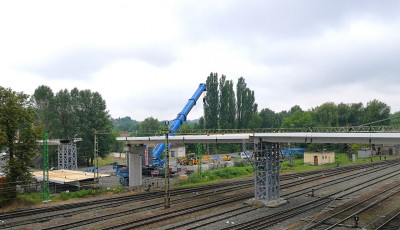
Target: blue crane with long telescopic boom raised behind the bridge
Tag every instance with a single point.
(176, 124)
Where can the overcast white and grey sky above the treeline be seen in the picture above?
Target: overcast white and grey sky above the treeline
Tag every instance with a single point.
(146, 58)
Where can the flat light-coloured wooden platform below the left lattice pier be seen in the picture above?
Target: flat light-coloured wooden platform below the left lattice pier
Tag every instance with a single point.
(66, 176)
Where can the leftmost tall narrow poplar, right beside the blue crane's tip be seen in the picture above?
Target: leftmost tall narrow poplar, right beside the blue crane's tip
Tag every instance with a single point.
(211, 102)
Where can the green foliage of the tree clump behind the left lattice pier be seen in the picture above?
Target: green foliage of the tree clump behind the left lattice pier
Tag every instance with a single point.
(76, 113)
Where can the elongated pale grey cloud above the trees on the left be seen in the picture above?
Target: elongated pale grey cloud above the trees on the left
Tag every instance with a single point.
(79, 63)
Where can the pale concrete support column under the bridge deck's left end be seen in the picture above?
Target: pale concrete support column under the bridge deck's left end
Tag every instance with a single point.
(134, 161)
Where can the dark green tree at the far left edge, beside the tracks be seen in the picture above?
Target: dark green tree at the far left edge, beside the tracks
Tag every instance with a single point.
(18, 135)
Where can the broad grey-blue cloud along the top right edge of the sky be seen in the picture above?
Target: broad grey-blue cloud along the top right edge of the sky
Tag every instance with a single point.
(243, 21)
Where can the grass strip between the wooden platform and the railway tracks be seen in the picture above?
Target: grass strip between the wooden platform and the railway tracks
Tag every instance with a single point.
(34, 198)
